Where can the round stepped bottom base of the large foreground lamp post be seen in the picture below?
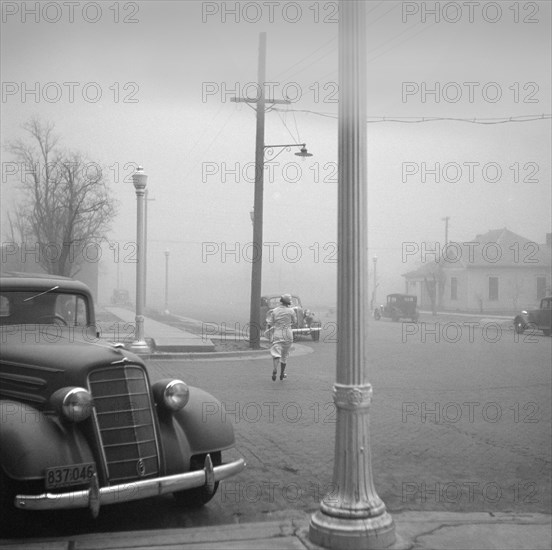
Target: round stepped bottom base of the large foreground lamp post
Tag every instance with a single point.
(352, 534)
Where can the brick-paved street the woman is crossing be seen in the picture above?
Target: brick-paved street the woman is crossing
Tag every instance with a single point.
(458, 424)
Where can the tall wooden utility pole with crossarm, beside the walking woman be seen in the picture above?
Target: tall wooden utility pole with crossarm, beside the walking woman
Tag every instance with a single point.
(257, 261)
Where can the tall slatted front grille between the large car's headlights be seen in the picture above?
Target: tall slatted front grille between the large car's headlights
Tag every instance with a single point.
(125, 423)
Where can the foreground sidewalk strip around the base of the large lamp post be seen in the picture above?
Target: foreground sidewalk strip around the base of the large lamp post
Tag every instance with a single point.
(414, 530)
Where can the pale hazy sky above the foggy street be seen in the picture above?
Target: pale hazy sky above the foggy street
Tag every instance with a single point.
(166, 72)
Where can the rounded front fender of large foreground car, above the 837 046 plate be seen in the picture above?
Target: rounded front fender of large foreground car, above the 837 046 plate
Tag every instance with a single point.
(33, 441)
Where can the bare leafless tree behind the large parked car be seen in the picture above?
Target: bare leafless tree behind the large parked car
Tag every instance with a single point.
(66, 202)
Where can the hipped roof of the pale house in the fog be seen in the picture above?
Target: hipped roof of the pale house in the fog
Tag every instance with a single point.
(496, 248)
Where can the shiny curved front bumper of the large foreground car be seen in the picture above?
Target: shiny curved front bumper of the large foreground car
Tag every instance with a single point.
(95, 496)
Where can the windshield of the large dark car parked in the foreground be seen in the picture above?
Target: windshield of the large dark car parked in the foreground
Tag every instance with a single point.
(43, 307)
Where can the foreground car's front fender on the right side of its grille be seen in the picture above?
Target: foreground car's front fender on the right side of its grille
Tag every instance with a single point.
(202, 426)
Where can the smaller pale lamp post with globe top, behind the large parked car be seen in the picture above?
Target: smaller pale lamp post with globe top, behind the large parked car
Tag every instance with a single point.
(139, 179)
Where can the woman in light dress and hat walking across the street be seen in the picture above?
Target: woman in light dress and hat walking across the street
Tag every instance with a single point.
(279, 322)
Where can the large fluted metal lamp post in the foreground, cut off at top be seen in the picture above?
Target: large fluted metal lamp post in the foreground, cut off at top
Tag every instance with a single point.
(352, 516)
